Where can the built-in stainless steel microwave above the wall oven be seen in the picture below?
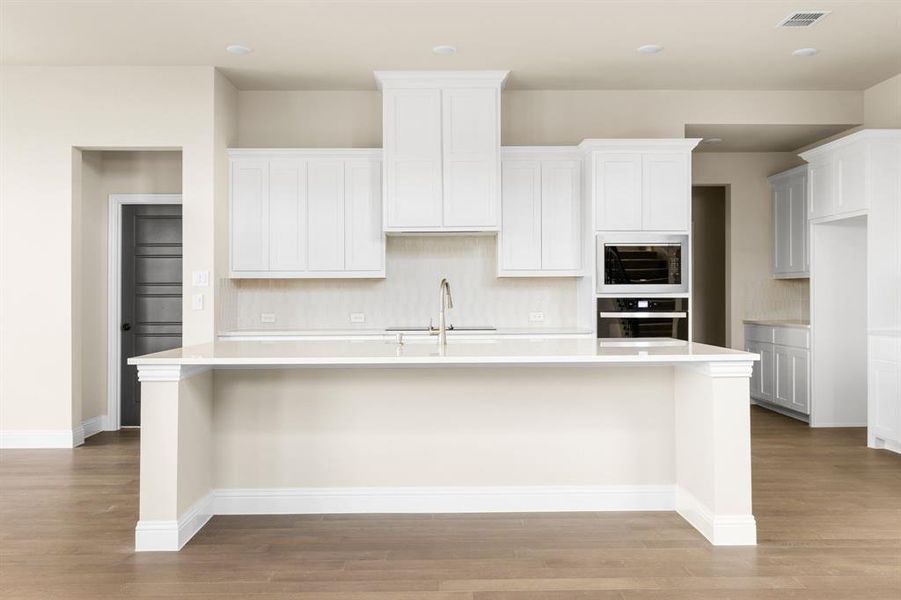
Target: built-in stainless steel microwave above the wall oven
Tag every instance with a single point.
(642, 263)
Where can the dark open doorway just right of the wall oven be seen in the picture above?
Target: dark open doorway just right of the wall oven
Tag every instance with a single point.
(709, 262)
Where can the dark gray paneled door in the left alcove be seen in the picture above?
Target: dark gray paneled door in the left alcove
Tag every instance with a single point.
(151, 292)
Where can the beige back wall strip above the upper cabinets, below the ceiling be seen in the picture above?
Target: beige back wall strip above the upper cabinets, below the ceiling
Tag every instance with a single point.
(354, 118)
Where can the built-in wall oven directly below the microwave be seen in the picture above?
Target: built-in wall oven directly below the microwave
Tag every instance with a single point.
(643, 318)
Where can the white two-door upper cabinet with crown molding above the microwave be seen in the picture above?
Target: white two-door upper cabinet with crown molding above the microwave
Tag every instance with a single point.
(641, 185)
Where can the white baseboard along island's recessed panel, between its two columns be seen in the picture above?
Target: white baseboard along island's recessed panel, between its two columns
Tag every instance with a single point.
(442, 499)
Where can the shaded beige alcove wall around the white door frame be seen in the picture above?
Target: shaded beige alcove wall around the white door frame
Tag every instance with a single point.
(105, 173)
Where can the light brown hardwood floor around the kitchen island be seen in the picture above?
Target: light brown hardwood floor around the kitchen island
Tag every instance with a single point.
(828, 510)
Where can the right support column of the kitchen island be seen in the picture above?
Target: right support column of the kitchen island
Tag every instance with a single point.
(713, 451)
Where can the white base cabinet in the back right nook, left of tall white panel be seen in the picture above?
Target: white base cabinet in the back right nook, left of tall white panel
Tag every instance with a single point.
(782, 376)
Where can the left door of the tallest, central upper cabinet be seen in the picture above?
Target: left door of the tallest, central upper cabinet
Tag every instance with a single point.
(412, 155)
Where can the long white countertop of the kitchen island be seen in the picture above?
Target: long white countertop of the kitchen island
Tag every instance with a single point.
(457, 352)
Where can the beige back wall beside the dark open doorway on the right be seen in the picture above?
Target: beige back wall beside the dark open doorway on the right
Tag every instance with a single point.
(752, 291)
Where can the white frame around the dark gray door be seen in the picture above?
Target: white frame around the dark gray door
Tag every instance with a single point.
(114, 296)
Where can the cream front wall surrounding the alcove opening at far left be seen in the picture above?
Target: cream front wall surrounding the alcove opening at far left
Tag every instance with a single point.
(45, 113)
